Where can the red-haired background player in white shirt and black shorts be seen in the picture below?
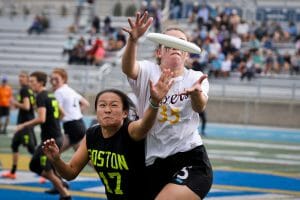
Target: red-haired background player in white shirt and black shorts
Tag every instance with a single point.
(72, 103)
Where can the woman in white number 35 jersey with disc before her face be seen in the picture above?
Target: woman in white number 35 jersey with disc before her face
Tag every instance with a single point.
(177, 163)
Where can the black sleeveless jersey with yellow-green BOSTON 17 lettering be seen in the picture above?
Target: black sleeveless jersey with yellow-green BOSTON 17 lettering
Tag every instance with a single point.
(119, 162)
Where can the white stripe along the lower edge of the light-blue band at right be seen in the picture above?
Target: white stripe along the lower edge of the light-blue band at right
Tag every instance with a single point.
(252, 144)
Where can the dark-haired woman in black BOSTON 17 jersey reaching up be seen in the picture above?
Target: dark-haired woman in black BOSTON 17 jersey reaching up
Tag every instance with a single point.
(116, 145)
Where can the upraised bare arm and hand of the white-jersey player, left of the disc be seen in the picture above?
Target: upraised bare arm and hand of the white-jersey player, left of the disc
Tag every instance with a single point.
(136, 30)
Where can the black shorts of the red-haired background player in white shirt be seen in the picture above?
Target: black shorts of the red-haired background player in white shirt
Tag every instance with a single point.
(75, 130)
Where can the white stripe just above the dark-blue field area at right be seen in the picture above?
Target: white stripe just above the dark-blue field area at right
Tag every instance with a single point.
(254, 160)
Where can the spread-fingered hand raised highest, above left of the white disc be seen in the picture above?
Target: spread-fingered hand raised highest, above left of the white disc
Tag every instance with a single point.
(139, 27)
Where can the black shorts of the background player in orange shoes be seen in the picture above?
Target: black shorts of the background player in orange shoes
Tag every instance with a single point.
(26, 137)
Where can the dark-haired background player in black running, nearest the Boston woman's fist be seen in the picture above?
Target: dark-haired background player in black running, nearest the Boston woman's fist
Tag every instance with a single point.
(48, 114)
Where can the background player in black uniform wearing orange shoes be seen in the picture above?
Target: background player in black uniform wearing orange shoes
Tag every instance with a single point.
(25, 103)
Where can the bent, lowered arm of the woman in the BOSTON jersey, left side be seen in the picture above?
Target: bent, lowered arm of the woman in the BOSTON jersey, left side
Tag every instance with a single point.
(70, 170)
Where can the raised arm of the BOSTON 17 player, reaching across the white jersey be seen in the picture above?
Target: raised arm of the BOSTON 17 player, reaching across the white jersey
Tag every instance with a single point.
(139, 129)
